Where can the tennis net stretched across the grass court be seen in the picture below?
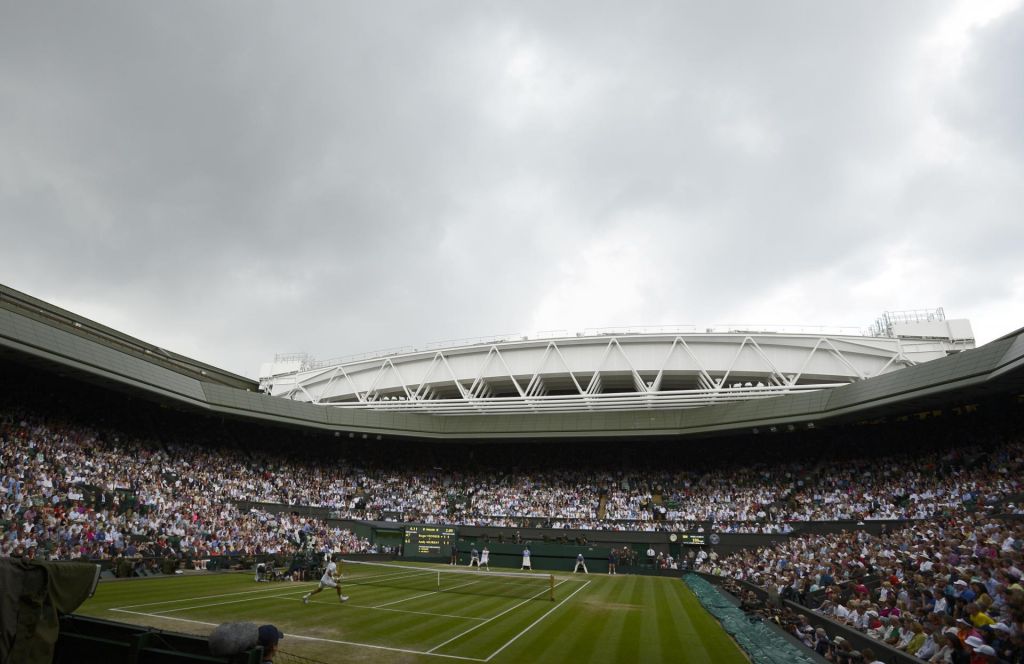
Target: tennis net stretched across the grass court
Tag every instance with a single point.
(502, 585)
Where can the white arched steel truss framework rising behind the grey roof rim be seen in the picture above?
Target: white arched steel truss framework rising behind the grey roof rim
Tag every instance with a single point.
(606, 373)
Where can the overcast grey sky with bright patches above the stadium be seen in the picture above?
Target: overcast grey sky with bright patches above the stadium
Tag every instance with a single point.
(232, 181)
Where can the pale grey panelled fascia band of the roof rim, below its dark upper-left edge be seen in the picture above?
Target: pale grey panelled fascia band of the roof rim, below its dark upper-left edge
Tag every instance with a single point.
(26, 333)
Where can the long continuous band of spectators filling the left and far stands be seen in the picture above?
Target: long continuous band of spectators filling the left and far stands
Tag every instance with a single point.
(173, 493)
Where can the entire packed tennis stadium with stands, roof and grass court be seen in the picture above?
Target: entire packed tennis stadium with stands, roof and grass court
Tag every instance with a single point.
(672, 494)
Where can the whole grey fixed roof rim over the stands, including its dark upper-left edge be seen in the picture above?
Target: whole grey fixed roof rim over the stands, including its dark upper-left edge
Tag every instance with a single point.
(64, 344)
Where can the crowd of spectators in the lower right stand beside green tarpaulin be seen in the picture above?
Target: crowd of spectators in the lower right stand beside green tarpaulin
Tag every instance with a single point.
(944, 592)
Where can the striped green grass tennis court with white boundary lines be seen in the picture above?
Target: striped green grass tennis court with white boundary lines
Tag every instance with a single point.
(402, 614)
